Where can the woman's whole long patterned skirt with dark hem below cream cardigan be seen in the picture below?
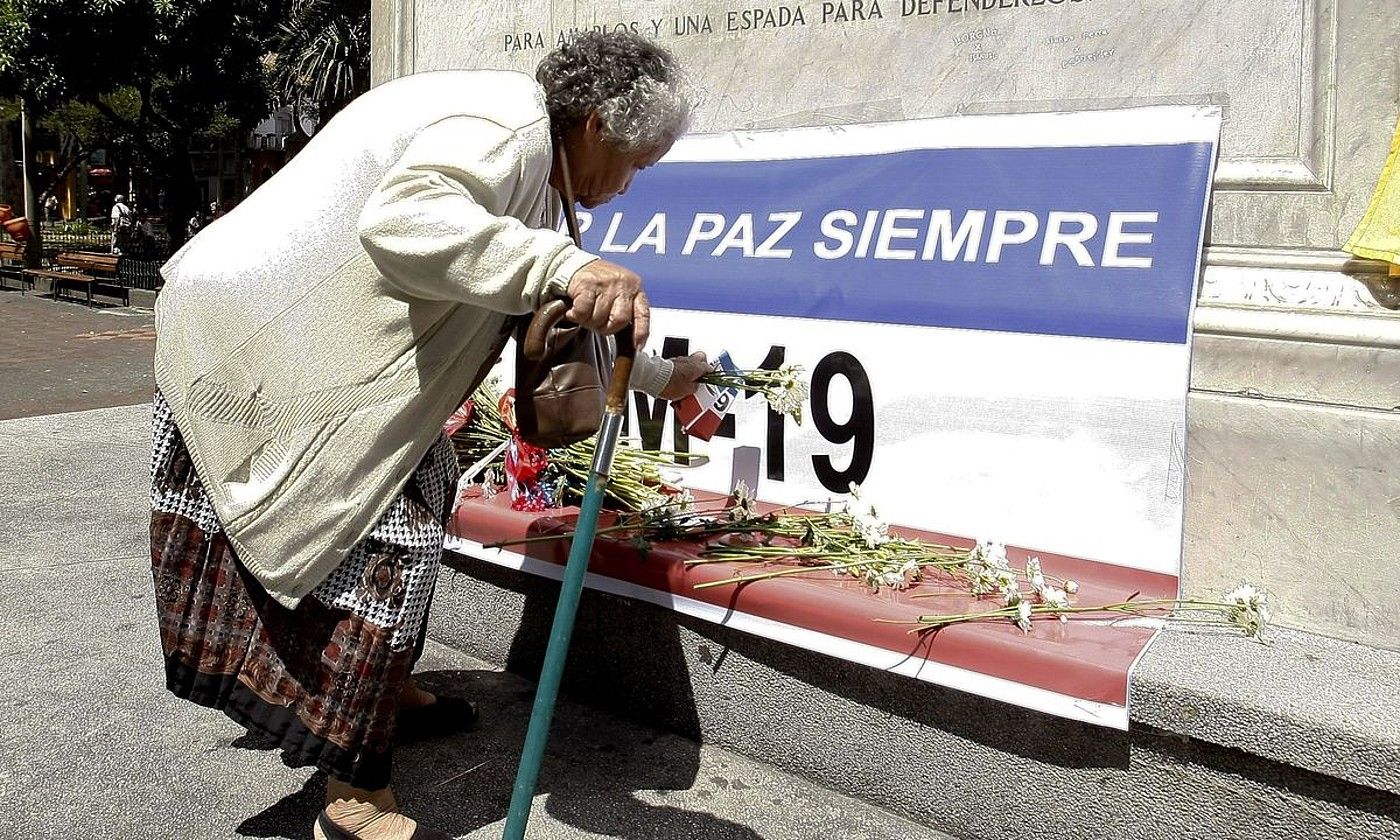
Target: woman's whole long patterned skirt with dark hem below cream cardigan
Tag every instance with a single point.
(321, 681)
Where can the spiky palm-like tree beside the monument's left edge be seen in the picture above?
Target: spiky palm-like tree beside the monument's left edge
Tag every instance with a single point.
(321, 58)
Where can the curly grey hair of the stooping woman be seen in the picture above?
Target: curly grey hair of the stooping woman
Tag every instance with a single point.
(633, 85)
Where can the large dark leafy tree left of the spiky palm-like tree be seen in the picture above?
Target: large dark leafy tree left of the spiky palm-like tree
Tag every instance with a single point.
(163, 73)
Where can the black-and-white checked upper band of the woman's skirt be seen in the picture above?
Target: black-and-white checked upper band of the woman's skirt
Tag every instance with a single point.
(390, 576)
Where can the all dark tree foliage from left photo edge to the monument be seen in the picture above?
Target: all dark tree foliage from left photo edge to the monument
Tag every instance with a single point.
(159, 76)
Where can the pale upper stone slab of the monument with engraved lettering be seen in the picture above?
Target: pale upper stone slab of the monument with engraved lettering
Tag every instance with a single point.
(821, 62)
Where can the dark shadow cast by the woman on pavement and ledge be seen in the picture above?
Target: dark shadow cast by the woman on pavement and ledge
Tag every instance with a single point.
(594, 765)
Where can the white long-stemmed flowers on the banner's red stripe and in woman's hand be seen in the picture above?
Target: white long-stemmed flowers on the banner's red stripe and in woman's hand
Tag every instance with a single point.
(850, 541)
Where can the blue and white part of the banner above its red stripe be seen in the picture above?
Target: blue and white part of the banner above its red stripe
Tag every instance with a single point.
(995, 313)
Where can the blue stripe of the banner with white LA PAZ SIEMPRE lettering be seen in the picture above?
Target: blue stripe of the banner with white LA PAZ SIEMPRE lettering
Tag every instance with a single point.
(944, 237)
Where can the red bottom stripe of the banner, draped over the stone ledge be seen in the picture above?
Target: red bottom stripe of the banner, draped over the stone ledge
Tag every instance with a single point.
(1080, 659)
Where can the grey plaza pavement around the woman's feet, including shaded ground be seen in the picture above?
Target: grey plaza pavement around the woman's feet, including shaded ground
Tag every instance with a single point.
(93, 747)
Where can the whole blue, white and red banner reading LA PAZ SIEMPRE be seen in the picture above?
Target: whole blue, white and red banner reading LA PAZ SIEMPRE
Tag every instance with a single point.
(995, 314)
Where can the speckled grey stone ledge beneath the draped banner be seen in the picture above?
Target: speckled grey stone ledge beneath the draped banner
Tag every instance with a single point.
(1294, 740)
